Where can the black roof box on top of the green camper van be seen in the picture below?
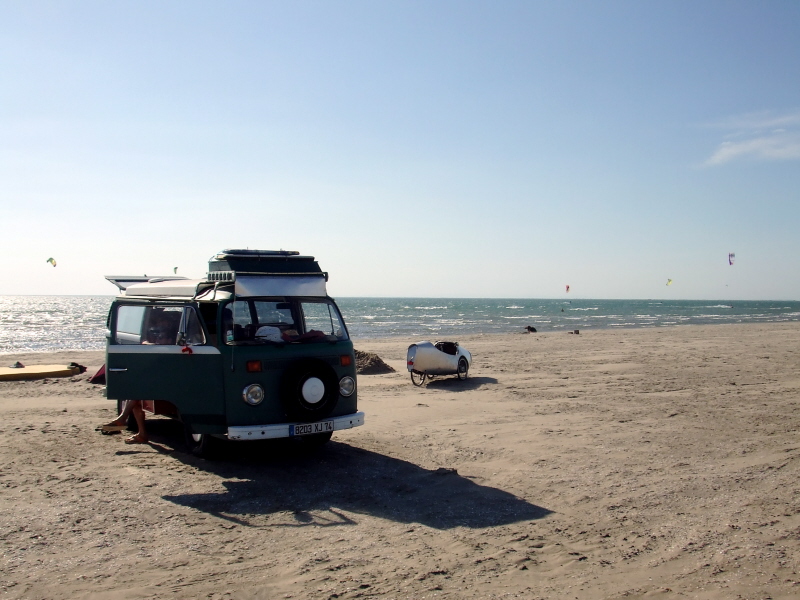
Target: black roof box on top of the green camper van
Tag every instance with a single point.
(225, 265)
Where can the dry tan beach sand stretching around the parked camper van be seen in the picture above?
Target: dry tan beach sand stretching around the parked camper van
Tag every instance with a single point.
(637, 463)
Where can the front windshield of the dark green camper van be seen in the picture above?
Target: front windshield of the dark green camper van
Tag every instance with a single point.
(250, 321)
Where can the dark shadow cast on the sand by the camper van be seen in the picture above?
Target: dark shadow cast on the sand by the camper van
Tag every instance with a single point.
(313, 487)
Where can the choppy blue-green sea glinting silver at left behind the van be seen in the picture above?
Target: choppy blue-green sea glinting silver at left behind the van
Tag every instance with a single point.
(58, 323)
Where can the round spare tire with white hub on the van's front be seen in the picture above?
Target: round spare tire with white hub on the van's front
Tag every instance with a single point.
(309, 390)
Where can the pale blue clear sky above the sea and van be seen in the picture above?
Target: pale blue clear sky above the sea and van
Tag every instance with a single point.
(416, 148)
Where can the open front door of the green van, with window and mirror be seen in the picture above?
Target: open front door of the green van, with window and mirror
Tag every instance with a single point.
(159, 351)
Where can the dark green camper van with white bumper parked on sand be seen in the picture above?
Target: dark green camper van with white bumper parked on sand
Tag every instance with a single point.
(255, 350)
